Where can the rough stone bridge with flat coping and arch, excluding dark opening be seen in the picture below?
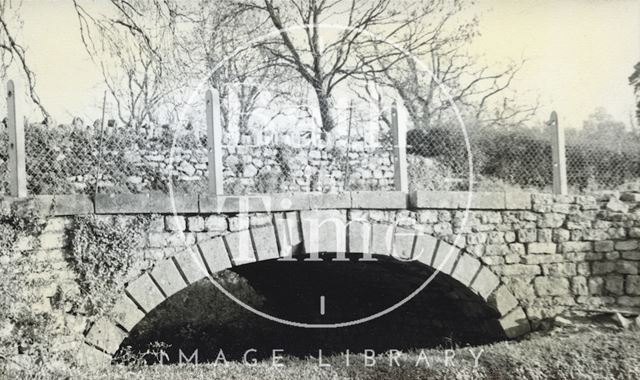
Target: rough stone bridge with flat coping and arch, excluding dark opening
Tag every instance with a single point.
(526, 256)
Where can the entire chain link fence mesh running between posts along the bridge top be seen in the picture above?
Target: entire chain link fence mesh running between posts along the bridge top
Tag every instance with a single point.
(358, 156)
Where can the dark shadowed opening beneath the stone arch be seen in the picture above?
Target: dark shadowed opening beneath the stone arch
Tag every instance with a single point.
(202, 317)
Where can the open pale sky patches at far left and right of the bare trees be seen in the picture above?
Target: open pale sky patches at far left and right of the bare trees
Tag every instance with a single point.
(579, 54)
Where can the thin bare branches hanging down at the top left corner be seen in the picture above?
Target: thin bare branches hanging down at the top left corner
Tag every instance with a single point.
(12, 53)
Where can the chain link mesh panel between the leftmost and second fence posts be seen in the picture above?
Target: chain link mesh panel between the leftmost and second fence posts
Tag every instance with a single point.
(67, 160)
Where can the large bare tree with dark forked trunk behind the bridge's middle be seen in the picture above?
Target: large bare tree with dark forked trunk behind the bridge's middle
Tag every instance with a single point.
(324, 58)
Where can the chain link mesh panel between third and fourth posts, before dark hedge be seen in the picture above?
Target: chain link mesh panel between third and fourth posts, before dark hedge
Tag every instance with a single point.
(440, 158)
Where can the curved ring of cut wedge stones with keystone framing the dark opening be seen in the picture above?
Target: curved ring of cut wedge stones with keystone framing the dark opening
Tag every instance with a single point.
(291, 234)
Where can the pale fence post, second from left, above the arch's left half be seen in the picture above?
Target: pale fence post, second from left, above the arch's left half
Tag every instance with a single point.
(214, 142)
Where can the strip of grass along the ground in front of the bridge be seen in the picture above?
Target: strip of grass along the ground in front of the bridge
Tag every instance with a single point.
(588, 355)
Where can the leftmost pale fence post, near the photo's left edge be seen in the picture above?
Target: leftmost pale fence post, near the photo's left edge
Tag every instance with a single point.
(17, 175)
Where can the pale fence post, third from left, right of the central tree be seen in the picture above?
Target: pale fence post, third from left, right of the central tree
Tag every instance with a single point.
(399, 133)
